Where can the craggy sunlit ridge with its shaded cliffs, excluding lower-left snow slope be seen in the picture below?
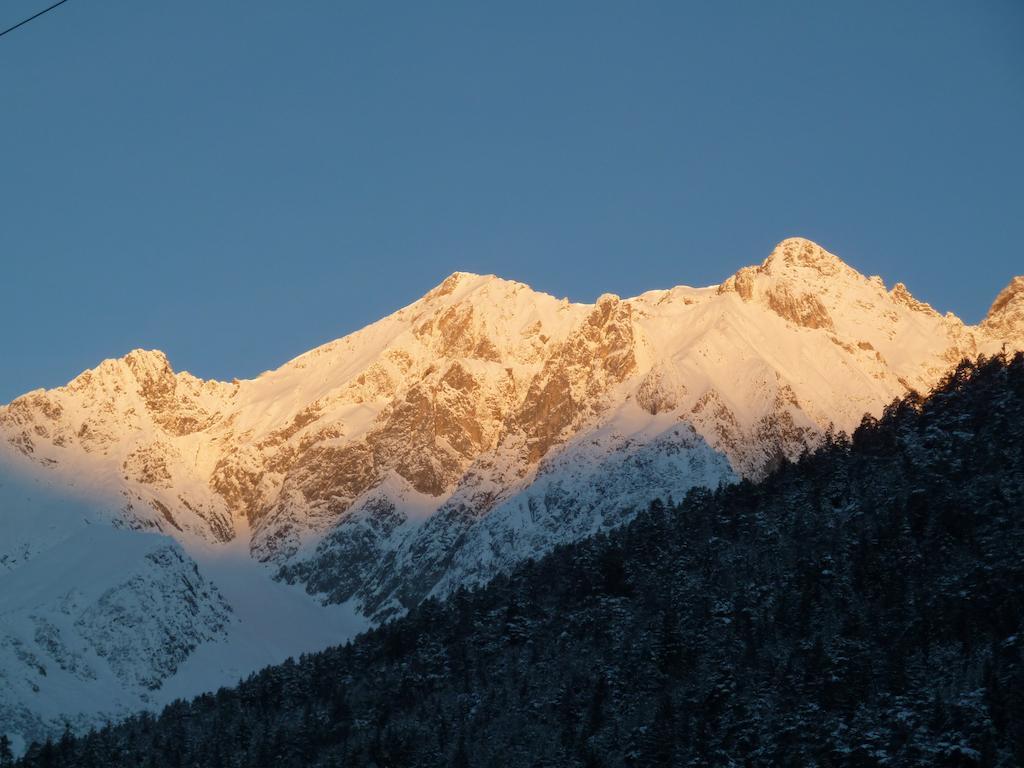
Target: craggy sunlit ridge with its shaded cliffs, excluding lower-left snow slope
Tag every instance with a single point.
(409, 442)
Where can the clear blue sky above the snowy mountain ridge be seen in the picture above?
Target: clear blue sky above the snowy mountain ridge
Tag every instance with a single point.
(237, 182)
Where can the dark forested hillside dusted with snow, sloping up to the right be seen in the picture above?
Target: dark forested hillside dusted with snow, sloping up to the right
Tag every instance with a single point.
(861, 608)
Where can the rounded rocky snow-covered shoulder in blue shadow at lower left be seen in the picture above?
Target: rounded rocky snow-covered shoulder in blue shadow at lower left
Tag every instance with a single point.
(105, 620)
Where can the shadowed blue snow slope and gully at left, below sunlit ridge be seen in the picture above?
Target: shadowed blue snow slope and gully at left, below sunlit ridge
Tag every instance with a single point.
(100, 621)
